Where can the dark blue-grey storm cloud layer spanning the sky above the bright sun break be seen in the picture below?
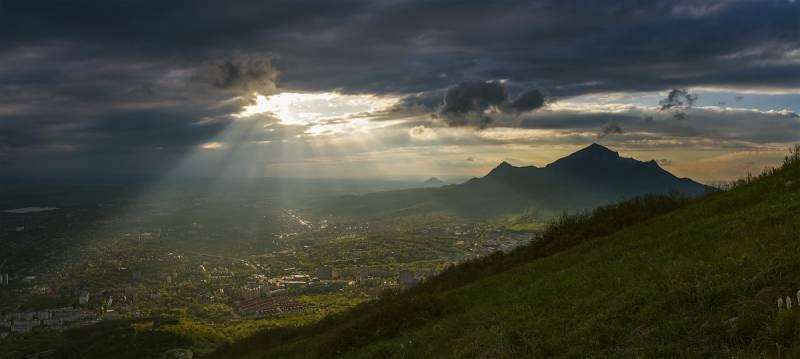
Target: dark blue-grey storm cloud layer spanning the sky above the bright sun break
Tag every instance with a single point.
(68, 67)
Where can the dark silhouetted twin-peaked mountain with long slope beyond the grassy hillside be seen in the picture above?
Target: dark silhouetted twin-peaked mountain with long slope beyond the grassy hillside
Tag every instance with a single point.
(585, 179)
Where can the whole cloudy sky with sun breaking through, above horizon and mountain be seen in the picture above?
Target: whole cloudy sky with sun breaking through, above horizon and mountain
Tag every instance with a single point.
(393, 89)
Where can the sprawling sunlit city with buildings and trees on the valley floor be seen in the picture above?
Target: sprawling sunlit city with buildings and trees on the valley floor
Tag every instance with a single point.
(138, 268)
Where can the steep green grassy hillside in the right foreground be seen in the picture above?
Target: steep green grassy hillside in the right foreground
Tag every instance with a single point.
(698, 281)
